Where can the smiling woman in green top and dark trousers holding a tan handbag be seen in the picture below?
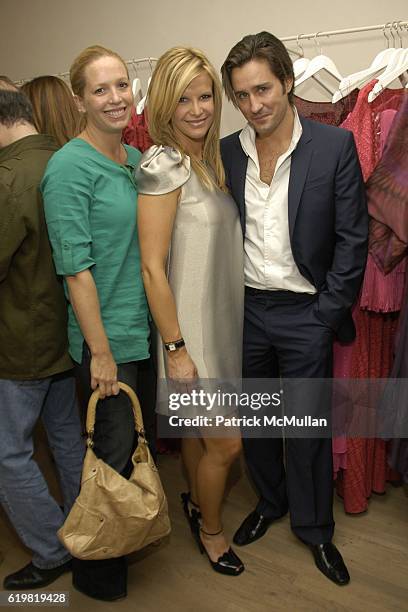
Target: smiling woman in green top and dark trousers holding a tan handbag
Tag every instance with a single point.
(90, 203)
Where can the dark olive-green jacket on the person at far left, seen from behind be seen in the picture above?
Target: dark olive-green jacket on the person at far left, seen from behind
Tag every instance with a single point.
(33, 314)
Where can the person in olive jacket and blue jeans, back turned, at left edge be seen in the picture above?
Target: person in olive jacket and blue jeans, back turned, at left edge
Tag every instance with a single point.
(36, 378)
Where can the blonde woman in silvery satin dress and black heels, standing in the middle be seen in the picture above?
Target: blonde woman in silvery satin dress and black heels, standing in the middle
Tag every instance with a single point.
(196, 292)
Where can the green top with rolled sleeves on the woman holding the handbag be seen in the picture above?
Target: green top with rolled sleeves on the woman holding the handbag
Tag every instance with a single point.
(90, 207)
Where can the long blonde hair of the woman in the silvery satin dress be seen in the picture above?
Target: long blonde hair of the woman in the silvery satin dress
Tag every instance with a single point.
(173, 73)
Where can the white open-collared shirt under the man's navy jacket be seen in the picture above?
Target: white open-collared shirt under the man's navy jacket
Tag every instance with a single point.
(269, 262)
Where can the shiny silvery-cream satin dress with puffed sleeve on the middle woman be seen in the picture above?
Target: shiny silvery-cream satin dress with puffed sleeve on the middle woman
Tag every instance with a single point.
(205, 264)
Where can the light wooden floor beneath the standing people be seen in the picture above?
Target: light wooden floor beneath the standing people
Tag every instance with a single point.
(280, 574)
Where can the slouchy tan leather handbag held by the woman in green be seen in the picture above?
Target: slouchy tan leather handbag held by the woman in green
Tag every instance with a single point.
(113, 516)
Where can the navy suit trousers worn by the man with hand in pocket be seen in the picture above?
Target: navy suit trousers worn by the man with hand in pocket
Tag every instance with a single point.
(283, 337)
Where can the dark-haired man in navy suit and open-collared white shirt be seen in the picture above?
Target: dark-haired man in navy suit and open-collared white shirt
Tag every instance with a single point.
(299, 189)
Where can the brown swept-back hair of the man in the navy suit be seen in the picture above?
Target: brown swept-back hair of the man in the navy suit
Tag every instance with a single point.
(258, 46)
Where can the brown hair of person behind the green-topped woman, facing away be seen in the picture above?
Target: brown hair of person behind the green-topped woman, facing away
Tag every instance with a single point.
(55, 111)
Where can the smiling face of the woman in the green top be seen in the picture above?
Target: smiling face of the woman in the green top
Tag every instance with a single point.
(107, 98)
